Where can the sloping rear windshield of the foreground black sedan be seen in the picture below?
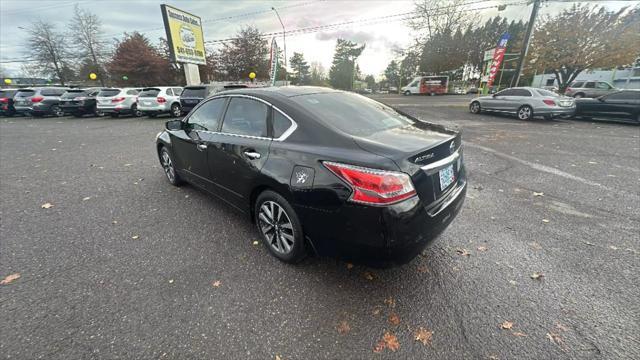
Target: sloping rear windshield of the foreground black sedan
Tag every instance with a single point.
(351, 113)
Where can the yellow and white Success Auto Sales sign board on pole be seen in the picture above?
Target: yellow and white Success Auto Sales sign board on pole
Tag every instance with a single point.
(184, 35)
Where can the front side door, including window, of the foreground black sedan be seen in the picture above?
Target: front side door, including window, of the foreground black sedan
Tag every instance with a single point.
(190, 145)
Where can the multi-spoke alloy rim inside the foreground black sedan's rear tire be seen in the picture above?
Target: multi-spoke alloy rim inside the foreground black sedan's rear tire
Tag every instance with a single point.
(276, 227)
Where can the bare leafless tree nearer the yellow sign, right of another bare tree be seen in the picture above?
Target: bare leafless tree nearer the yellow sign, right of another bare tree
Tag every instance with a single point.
(85, 28)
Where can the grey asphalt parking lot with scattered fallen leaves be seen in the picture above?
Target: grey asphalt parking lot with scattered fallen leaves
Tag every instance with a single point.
(541, 263)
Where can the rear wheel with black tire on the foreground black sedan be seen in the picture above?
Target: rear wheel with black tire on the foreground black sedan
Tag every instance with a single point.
(287, 239)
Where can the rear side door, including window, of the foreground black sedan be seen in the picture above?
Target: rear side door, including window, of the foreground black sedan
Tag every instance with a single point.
(240, 149)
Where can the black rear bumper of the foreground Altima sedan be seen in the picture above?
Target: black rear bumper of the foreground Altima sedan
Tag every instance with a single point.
(381, 236)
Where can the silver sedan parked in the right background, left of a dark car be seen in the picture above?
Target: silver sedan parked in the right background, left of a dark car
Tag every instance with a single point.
(526, 103)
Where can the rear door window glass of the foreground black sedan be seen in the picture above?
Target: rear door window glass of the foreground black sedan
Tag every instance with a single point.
(246, 117)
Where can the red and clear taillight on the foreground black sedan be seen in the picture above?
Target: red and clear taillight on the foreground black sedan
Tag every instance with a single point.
(372, 186)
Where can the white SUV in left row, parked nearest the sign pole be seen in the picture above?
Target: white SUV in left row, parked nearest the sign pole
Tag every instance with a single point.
(160, 100)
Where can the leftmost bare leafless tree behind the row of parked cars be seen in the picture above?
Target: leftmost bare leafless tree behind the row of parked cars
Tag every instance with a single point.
(48, 49)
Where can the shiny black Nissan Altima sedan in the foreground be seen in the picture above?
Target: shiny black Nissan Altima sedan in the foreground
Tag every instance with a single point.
(321, 171)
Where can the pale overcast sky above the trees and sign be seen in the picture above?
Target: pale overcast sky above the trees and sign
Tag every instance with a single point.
(381, 38)
